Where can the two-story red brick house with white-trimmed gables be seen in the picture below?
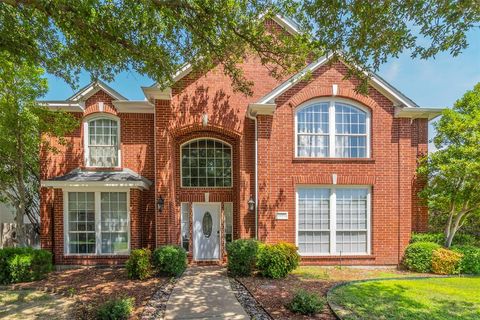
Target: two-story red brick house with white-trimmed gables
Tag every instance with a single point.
(310, 162)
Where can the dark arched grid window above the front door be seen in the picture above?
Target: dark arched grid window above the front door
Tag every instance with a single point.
(206, 163)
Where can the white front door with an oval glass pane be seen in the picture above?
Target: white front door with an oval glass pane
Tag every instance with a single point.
(206, 231)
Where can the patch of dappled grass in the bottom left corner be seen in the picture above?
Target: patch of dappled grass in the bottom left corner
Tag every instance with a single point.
(31, 304)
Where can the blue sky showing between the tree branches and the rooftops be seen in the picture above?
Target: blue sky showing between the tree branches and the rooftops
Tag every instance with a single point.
(437, 82)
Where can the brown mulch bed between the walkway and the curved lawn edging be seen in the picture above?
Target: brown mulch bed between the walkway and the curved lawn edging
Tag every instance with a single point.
(274, 295)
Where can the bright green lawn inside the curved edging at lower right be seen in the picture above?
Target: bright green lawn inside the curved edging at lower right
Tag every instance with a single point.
(433, 298)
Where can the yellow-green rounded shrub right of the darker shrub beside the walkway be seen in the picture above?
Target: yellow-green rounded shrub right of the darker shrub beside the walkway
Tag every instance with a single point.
(277, 260)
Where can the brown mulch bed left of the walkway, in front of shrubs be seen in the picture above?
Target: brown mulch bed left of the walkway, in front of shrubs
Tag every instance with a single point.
(90, 287)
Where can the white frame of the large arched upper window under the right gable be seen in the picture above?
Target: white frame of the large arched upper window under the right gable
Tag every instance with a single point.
(331, 125)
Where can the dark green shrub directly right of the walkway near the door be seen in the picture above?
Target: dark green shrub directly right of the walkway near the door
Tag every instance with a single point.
(242, 255)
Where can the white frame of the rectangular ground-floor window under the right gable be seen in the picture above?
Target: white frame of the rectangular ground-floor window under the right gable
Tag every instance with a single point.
(333, 218)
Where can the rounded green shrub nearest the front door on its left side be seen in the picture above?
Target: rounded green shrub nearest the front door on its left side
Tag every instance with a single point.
(171, 260)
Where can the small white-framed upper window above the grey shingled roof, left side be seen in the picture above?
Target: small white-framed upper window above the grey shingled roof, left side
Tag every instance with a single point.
(102, 142)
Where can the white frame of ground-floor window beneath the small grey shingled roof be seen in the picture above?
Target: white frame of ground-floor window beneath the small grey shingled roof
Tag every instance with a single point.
(98, 223)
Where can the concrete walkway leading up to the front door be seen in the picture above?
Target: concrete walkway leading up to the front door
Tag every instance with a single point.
(204, 293)
